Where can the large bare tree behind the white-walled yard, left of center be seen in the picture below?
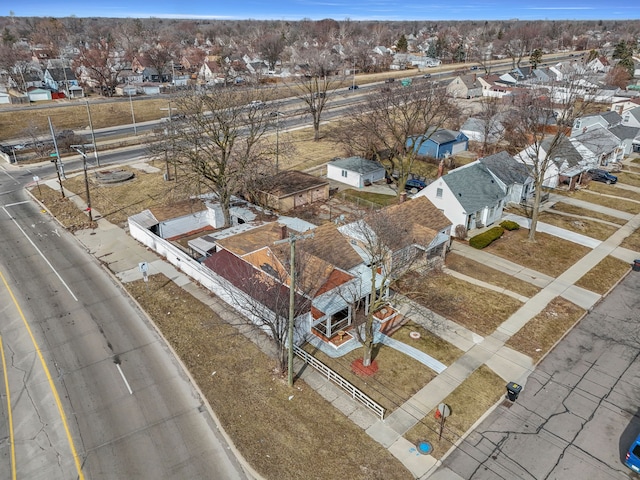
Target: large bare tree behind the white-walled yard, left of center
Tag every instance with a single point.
(219, 139)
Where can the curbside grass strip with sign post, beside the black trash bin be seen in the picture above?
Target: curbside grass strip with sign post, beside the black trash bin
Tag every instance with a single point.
(468, 403)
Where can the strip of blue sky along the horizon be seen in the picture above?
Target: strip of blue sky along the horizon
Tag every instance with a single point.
(335, 9)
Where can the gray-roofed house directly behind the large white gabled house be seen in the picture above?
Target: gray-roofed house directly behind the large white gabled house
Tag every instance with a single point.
(513, 176)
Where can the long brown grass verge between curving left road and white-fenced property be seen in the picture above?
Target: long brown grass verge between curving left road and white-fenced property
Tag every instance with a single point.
(299, 438)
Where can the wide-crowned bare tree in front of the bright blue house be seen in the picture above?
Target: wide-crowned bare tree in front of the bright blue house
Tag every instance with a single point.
(392, 125)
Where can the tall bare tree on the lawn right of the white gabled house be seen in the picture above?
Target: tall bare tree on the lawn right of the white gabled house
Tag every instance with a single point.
(539, 122)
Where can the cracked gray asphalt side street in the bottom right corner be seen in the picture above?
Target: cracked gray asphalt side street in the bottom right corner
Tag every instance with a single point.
(578, 412)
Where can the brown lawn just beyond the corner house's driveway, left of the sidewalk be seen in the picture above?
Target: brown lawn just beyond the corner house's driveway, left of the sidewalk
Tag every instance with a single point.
(477, 308)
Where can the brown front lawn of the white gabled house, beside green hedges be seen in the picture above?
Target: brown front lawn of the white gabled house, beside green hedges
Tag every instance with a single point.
(548, 254)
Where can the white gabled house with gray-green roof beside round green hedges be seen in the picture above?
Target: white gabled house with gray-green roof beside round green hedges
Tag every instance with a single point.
(469, 195)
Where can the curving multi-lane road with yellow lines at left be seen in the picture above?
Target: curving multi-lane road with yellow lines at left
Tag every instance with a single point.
(89, 390)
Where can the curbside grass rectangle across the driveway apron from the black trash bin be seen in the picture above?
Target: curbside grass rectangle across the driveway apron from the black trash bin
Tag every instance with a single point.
(545, 329)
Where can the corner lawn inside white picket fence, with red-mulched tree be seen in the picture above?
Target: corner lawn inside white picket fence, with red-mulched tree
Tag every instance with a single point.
(398, 377)
